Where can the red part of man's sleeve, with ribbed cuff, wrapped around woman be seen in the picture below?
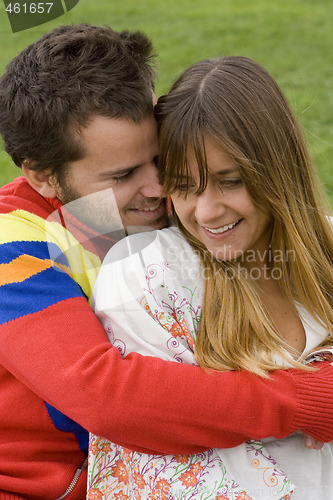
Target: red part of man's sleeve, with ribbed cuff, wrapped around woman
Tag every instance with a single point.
(152, 405)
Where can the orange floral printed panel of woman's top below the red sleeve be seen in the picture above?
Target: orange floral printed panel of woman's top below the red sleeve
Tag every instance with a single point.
(121, 473)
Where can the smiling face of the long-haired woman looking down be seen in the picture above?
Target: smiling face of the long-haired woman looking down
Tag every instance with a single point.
(223, 217)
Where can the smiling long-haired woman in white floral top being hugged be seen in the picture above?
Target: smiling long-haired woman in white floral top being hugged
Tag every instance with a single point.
(257, 254)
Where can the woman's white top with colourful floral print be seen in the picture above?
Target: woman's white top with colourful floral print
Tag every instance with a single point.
(148, 296)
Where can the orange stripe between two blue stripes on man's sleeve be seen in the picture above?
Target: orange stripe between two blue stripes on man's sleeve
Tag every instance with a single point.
(22, 268)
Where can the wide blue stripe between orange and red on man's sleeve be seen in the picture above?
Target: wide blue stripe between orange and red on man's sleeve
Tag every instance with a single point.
(36, 293)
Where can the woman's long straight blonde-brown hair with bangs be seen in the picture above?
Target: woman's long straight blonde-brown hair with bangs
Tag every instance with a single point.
(236, 102)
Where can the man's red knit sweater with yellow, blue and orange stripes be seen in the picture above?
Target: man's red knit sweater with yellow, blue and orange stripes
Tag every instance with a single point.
(60, 377)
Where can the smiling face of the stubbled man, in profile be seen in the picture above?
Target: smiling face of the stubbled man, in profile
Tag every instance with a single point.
(121, 155)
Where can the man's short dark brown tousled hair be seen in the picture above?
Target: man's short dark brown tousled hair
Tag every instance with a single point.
(53, 87)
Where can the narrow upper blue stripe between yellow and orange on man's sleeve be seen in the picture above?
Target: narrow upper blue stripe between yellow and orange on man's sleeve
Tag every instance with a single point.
(40, 249)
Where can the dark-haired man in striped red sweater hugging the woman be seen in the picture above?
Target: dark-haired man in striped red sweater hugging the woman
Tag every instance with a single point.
(76, 116)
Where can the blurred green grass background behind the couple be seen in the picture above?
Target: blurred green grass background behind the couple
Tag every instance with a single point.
(293, 39)
